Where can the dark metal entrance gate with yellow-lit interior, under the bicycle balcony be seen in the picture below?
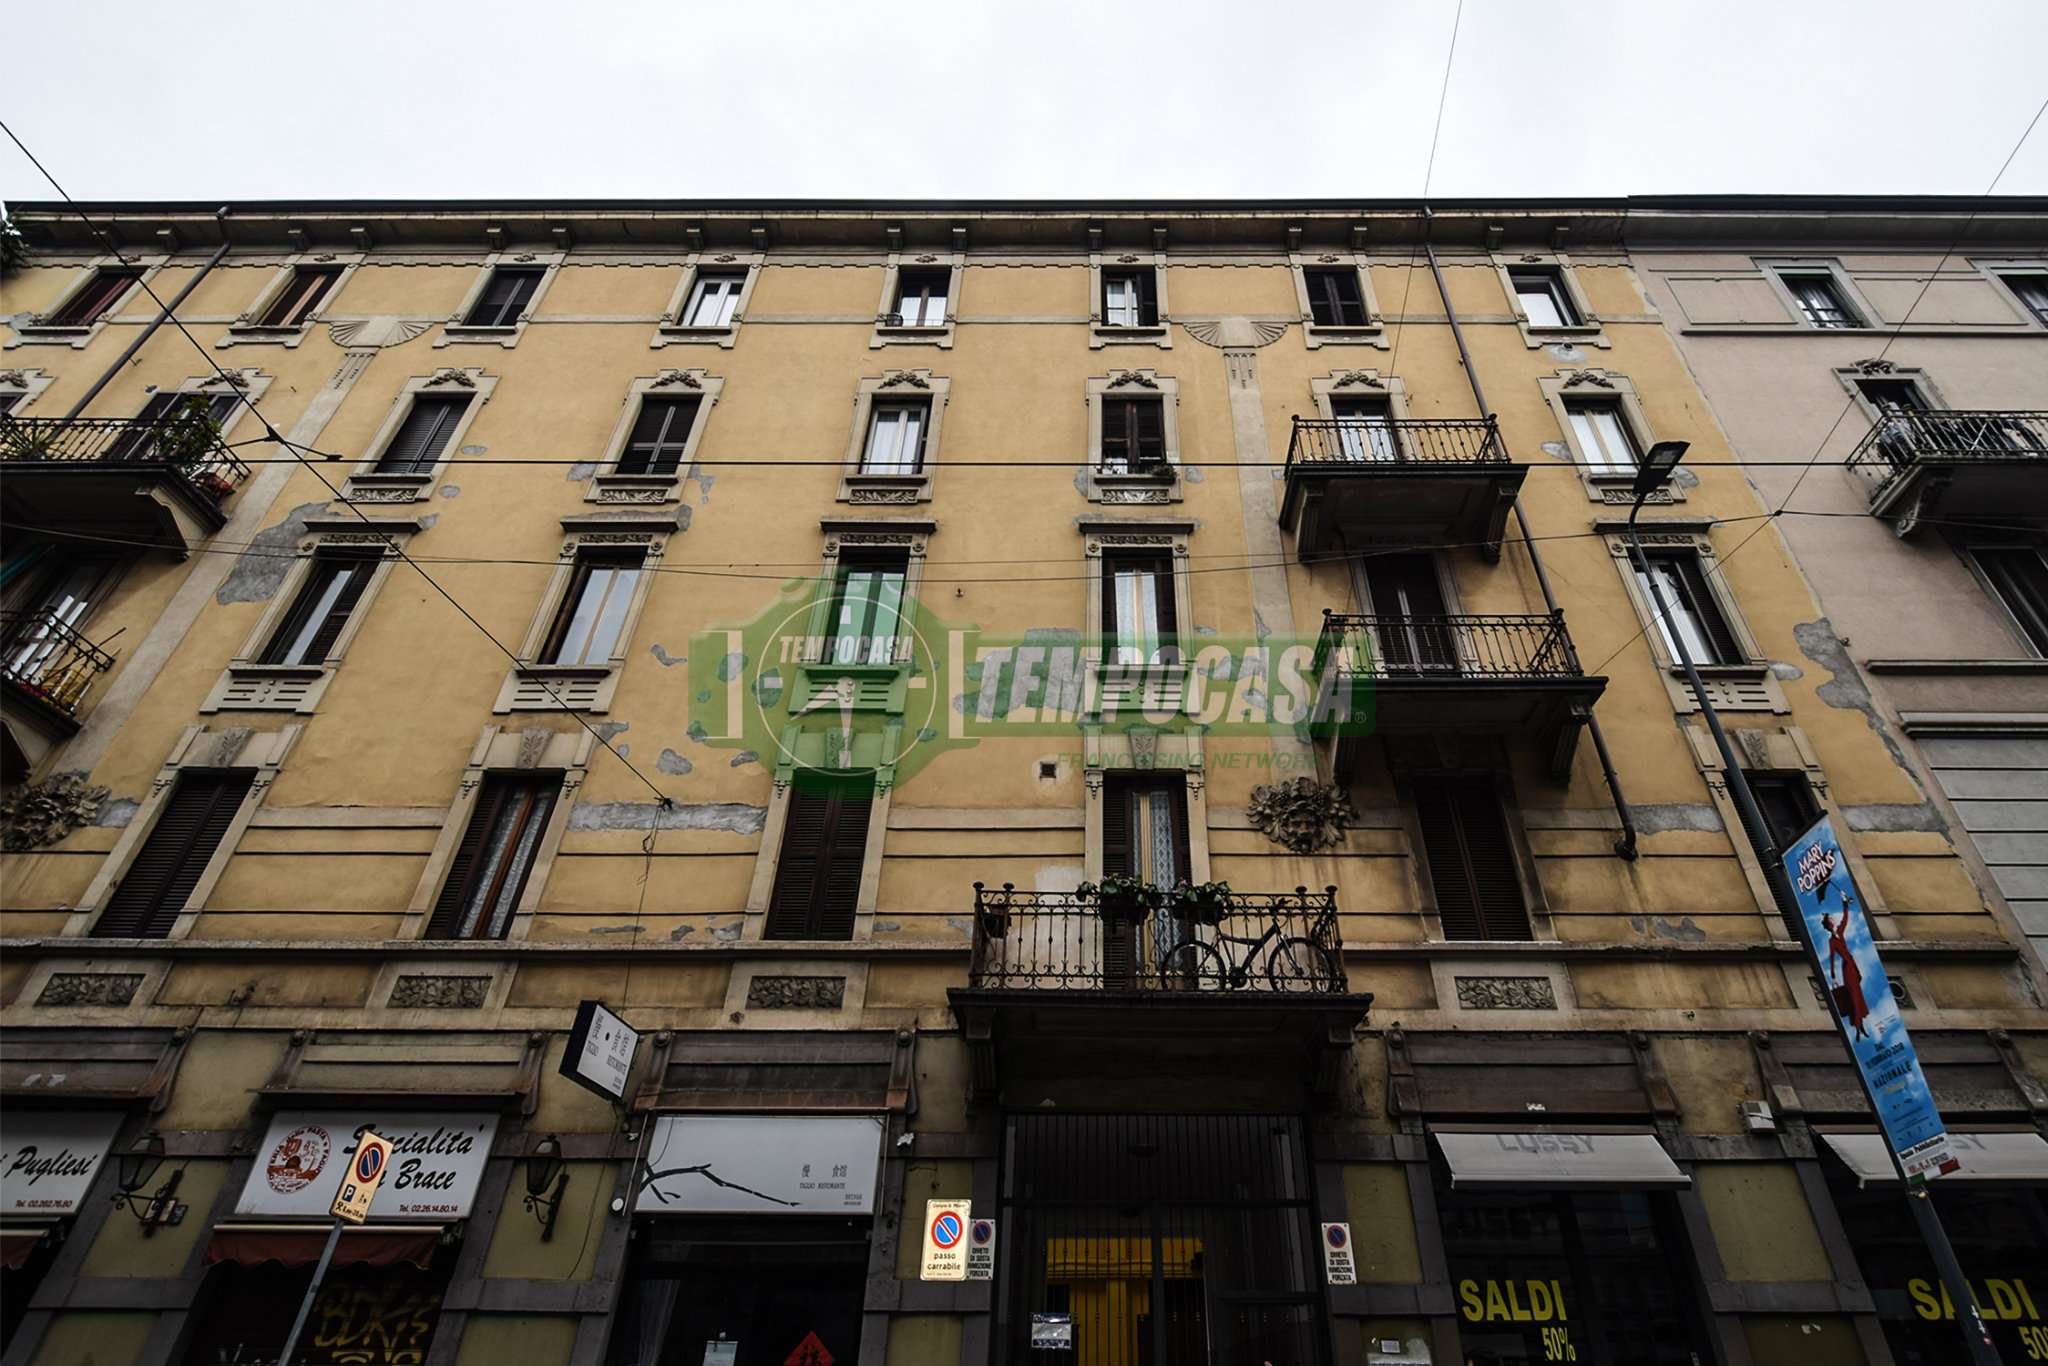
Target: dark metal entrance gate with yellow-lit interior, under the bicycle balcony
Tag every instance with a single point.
(1158, 1240)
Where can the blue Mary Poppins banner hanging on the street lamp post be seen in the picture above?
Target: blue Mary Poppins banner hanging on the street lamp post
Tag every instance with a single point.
(1850, 972)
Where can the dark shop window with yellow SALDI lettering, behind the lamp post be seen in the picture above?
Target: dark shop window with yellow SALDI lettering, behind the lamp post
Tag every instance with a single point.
(2002, 1240)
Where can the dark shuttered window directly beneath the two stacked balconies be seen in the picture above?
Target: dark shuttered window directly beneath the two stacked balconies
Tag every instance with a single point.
(1471, 859)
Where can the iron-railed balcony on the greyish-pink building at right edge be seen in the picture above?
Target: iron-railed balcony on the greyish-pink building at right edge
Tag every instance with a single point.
(1957, 468)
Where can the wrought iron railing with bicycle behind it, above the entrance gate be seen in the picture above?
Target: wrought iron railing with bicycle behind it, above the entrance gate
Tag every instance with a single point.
(1246, 945)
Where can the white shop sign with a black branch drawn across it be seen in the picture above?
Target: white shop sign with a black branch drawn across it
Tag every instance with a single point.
(761, 1164)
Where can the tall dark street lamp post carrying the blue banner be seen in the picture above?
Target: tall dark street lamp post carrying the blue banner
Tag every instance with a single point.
(1652, 476)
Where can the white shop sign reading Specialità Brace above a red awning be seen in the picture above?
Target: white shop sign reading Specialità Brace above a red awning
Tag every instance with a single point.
(433, 1170)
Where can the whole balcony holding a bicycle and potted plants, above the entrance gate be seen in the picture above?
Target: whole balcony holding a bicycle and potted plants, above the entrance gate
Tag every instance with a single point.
(1076, 998)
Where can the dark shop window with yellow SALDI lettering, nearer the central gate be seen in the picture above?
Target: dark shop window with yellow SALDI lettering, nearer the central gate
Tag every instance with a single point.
(1570, 1277)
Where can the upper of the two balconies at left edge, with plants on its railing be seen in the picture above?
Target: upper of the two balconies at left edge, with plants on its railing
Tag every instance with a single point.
(153, 480)
